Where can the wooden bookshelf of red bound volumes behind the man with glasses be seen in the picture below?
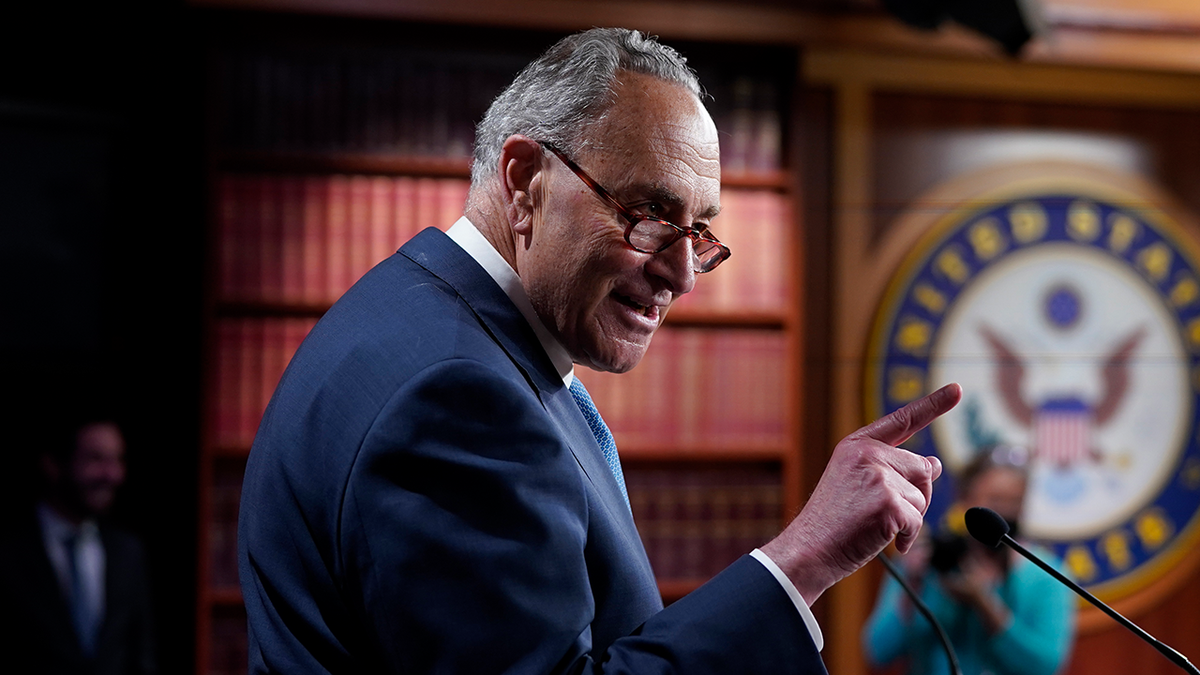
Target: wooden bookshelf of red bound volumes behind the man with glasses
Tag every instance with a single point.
(326, 156)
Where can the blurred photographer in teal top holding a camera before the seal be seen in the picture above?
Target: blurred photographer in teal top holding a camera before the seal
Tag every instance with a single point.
(1001, 613)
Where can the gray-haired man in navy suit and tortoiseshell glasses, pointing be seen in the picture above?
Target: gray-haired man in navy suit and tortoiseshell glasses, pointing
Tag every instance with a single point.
(431, 491)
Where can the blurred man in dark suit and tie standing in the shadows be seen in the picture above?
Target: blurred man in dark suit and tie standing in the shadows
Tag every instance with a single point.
(74, 586)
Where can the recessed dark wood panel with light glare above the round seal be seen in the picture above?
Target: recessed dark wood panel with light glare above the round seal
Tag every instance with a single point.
(925, 140)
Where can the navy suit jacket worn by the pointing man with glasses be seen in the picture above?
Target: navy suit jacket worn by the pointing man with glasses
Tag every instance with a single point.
(425, 497)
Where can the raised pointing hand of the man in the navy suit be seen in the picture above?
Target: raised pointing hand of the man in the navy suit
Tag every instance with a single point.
(872, 493)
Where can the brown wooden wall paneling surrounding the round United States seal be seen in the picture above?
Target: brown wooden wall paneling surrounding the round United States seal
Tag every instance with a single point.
(905, 126)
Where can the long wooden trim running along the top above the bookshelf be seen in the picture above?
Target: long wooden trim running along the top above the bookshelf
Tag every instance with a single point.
(1075, 38)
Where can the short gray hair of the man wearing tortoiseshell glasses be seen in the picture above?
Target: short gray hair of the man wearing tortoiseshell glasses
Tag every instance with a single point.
(557, 97)
